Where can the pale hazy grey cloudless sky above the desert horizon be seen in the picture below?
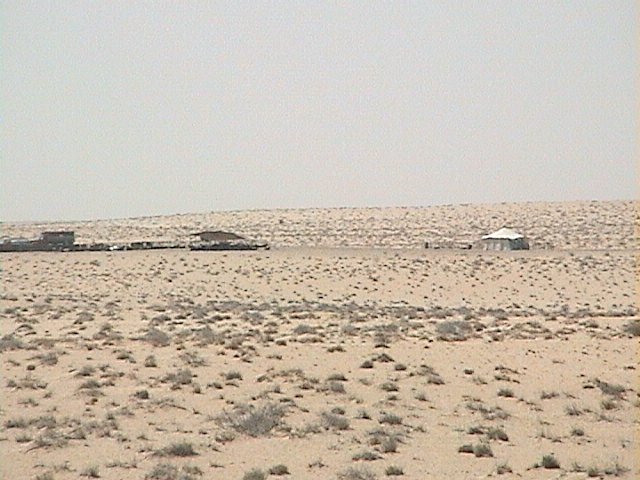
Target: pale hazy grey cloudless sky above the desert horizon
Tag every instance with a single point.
(112, 109)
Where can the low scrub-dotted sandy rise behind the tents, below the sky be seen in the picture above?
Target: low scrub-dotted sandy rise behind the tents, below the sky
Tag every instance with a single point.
(569, 225)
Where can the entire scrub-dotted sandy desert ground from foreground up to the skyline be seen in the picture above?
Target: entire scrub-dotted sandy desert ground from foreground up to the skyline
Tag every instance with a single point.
(347, 351)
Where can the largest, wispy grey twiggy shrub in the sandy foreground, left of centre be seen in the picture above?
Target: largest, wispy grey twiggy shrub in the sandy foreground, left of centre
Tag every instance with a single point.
(253, 421)
